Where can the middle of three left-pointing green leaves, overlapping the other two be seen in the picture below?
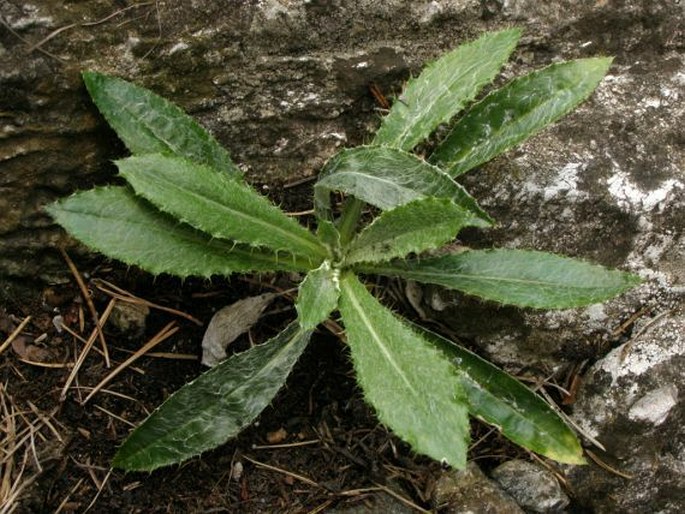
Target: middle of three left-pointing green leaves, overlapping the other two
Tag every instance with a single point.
(210, 201)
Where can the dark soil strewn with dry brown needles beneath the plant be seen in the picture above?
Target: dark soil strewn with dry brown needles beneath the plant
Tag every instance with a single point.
(317, 447)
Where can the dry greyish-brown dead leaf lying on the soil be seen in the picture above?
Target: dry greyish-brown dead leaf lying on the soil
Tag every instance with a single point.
(229, 323)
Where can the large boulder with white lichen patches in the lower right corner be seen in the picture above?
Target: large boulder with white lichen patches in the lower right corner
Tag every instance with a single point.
(632, 402)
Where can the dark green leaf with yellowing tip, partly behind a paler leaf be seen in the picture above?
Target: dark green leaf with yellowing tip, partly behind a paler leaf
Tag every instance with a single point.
(499, 399)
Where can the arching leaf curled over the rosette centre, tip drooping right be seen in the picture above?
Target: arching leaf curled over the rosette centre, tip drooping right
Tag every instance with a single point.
(386, 178)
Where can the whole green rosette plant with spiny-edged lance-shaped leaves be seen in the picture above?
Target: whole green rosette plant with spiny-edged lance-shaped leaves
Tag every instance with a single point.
(187, 211)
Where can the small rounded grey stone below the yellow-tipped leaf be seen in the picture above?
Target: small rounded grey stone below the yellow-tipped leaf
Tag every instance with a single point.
(533, 487)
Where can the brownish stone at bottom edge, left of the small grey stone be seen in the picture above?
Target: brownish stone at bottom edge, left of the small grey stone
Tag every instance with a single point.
(469, 491)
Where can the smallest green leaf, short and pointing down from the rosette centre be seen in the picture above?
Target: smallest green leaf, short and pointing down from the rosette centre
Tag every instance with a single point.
(318, 296)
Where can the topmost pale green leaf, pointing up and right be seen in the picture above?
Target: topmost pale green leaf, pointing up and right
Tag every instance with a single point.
(443, 88)
